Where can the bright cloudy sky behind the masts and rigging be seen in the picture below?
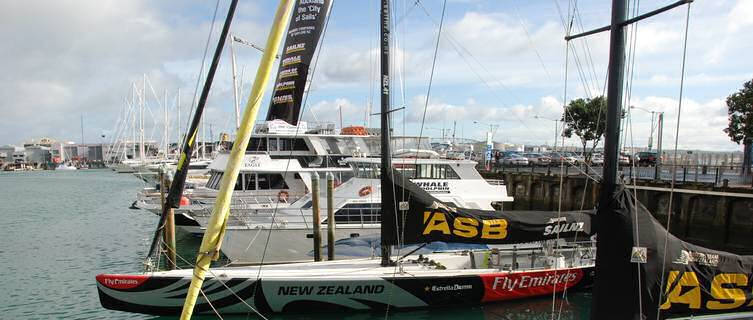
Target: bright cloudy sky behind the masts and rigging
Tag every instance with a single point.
(500, 62)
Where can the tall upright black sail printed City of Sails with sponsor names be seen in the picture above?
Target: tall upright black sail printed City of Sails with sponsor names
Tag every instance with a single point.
(305, 29)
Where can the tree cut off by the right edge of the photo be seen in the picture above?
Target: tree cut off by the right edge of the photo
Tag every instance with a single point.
(740, 128)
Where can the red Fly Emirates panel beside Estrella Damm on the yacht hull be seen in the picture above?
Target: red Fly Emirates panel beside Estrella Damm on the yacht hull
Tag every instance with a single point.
(506, 286)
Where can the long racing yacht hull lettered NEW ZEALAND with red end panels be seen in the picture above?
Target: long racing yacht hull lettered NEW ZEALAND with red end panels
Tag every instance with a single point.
(163, 295)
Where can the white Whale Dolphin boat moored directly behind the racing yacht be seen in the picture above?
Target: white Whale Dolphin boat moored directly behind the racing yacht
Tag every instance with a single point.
(356, 206)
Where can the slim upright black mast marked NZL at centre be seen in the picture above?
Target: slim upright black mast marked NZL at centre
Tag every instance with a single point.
(388, 204)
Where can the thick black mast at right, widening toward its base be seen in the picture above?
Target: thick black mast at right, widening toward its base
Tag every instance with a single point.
(614, 288)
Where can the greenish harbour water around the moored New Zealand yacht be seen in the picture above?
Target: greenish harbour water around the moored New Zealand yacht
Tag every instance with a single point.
(61, 228)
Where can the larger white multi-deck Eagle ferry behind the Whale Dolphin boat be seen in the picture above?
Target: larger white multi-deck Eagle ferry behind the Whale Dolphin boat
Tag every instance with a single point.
(276, 170)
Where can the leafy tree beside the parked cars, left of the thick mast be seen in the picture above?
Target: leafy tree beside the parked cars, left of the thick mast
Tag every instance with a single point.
(587, 119)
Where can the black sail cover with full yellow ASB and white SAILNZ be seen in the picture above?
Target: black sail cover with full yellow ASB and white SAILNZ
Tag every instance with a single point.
(428, 219)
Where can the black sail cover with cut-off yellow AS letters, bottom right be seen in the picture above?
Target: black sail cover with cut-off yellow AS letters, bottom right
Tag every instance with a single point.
(682, 281)
